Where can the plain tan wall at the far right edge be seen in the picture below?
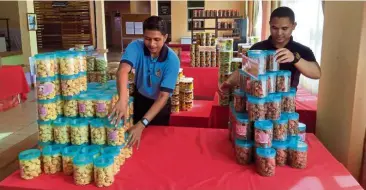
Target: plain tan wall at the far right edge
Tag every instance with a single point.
(341, 120)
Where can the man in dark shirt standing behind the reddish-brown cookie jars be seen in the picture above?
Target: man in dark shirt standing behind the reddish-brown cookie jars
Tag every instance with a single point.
(291, 55)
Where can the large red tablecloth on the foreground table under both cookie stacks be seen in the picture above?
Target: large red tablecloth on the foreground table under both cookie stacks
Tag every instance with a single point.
(198, 158)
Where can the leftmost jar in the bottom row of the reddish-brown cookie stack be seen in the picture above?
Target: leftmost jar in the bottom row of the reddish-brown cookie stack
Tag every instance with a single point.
(244, 151)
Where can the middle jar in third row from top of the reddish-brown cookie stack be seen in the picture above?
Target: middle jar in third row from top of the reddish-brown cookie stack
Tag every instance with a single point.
(273, 106)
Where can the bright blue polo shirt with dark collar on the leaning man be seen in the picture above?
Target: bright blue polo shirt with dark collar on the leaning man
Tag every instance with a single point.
(152, 75)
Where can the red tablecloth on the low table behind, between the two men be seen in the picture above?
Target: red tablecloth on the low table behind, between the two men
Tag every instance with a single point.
(198, 116)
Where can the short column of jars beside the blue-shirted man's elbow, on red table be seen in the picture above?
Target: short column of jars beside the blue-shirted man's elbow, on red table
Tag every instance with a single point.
(185, 94)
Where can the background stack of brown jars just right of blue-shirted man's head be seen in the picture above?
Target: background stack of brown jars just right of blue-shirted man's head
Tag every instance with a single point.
(203, 50)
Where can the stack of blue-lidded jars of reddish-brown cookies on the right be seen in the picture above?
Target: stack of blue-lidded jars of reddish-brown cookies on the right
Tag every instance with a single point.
(263, 125)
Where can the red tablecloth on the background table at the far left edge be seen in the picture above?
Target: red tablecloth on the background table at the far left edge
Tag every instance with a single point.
(13, 82)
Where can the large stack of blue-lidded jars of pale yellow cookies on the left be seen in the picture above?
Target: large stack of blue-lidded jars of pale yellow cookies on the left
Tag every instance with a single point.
(75, 135)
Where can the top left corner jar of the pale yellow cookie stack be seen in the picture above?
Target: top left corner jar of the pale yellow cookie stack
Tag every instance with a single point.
(45, 65)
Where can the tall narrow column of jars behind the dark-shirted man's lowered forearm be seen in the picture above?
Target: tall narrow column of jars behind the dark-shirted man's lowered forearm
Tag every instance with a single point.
(225, 48)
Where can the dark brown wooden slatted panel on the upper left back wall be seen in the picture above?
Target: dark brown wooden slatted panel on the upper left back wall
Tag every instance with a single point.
(62, 27)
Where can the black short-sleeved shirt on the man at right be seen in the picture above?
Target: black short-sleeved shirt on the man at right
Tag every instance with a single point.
(294, 47)
